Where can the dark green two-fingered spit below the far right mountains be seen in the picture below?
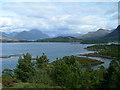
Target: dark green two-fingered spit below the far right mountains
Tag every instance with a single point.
(106, 51)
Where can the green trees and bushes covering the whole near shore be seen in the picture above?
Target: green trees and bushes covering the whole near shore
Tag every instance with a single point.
(66, 72)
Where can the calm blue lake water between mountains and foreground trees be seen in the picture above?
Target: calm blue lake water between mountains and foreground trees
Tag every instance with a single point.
(52, 50)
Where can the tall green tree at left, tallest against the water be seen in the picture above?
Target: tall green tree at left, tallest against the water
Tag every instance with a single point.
(24, 68)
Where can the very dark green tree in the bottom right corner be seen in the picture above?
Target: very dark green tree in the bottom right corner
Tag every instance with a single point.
(112, 77)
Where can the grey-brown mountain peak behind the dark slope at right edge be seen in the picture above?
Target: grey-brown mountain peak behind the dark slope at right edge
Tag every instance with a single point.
(95, 35)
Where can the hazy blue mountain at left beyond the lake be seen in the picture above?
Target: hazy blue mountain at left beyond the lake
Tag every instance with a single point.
(33, 34)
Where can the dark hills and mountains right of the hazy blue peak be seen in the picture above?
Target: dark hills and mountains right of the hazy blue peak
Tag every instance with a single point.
(99, 36)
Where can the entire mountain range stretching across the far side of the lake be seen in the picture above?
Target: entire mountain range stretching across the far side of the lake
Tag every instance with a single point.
(35, 34)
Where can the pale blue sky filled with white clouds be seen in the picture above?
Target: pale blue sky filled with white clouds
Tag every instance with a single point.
(57, 17)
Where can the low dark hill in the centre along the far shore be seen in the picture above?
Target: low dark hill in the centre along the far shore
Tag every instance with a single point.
(60, 39)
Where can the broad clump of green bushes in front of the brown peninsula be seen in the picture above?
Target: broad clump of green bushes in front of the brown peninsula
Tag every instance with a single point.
(67, 72)
